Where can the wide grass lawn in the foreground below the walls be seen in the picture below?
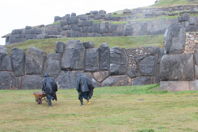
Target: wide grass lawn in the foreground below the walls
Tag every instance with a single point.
(113, 109)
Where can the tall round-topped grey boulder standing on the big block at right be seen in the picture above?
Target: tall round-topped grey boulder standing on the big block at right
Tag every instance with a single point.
(175, 37)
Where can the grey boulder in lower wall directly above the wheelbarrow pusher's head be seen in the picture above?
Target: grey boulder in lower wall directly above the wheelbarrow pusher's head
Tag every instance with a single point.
(52, 65)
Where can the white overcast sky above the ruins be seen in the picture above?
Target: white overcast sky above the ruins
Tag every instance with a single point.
(16, 14)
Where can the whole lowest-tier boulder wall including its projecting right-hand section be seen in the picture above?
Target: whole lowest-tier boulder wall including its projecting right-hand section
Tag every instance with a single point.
(175, 66)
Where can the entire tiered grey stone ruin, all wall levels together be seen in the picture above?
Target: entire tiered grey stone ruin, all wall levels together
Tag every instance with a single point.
(175, 65)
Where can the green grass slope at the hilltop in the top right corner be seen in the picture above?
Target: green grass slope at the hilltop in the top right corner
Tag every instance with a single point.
(167, 3)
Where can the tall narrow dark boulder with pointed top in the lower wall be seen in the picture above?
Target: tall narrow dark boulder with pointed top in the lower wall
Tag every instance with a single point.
(104, 57)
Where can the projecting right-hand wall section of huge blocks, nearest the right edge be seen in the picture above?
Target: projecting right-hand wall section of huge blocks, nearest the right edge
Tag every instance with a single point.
(178, 67)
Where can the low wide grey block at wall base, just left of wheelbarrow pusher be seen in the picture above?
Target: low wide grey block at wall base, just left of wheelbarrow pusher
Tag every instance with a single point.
(31, 82)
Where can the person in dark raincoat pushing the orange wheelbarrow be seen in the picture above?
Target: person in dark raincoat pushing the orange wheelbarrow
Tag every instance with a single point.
(49, 88)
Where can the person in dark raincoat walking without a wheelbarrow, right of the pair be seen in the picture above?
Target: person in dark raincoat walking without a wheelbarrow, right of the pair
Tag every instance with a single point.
(85, 88)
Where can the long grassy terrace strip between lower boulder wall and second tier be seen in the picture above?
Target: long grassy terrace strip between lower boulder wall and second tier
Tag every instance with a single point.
(48, 45)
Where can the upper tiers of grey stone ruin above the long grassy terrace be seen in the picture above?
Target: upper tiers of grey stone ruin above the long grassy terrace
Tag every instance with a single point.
(141, 21)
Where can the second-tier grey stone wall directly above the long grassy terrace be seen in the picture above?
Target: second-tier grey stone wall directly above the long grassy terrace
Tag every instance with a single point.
(89, 28)
